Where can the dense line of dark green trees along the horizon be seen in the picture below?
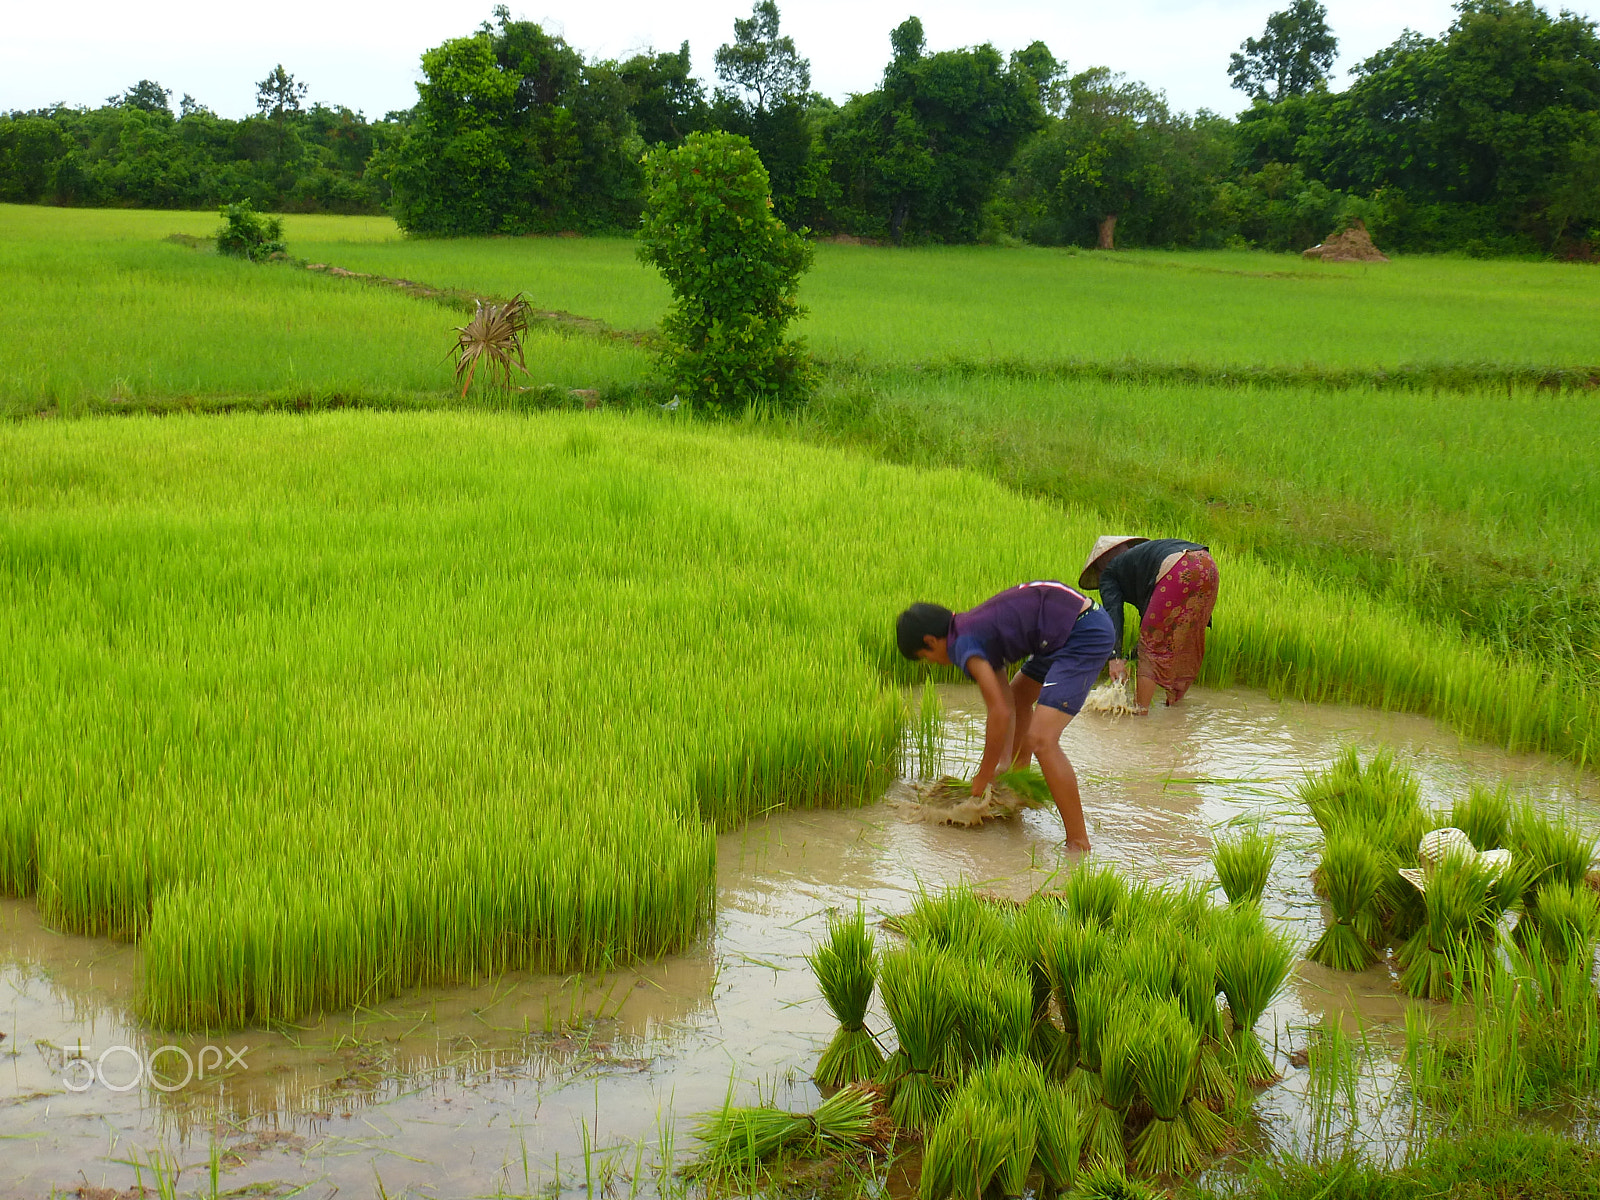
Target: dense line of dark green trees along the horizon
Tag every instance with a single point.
(1486, 138)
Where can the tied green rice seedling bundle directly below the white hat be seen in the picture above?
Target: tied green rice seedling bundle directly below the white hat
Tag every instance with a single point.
(1465, 903)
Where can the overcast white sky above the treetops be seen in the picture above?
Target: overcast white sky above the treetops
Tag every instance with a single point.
(367, 54)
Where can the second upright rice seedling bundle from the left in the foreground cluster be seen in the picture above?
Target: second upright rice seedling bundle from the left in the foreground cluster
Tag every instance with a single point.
(918, 988)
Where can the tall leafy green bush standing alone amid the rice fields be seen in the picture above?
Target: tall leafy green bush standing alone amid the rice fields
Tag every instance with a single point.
(734, 270)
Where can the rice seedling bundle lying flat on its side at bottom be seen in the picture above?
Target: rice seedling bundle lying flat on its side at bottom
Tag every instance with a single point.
(738, 1142)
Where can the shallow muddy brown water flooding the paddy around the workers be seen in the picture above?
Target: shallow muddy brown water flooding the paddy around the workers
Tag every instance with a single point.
(567, 1084)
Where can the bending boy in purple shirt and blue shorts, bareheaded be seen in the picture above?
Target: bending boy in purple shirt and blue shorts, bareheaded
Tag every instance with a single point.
(1063, 642)
